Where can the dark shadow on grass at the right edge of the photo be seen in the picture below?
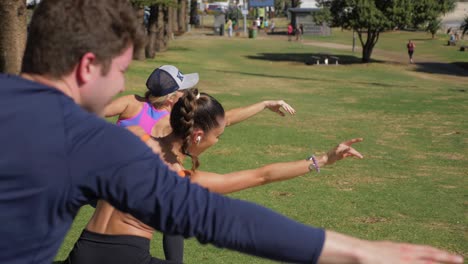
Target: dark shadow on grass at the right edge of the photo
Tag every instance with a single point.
(454, 68)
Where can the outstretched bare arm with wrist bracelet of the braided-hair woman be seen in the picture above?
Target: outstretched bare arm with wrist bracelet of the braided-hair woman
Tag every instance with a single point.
(236, 181)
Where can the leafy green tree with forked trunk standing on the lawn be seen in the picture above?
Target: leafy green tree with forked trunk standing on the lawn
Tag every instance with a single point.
(369, 18)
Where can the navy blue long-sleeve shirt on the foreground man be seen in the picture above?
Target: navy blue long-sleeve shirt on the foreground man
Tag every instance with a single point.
(56, 157)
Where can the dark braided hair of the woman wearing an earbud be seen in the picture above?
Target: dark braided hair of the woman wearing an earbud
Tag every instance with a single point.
(191, 112)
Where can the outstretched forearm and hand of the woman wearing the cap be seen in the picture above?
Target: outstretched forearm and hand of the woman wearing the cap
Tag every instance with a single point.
(237, 115)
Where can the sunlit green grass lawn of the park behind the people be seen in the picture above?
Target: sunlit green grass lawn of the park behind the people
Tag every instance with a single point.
(412, 185)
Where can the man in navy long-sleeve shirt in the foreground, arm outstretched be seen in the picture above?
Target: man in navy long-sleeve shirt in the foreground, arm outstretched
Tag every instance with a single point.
(74, 62)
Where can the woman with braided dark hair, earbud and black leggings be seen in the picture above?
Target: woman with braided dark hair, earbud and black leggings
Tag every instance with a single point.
(198, 120)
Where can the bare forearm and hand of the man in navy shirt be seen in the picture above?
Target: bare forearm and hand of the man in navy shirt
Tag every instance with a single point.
(341, 249)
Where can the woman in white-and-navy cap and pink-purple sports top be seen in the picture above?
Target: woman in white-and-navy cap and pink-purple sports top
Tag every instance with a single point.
(151, 112)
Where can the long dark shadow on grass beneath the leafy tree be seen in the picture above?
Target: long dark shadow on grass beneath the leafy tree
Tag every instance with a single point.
(309, 58)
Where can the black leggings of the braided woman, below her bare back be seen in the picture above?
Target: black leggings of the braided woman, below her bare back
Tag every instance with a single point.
(93, 248)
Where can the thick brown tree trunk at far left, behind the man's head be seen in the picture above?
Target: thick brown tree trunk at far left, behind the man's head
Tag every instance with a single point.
(13, 34)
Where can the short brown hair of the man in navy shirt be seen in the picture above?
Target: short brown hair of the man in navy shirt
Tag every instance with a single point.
(62, 31)
